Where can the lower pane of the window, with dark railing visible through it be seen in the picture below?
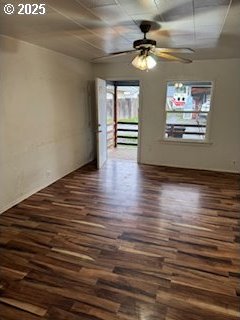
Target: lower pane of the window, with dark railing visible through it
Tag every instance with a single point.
(186, 125)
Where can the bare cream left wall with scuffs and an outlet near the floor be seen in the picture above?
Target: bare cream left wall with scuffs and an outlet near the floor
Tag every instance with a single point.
(45, 123)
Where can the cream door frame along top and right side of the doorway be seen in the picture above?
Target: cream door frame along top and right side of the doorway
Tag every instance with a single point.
(140, 108)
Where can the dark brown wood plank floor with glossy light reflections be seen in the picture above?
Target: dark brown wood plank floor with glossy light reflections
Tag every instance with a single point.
(126, 242)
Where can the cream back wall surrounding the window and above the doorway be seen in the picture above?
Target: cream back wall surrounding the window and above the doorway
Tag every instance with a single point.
(224, 152)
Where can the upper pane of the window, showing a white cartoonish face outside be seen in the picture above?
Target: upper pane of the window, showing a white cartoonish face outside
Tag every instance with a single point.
(189, 96)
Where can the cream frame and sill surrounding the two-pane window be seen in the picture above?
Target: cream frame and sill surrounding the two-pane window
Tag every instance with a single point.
(209, 117)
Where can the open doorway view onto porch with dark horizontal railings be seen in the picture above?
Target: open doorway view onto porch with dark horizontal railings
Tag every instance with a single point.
(123, 119)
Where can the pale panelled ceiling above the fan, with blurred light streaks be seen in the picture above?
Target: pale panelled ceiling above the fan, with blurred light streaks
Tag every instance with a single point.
(90, 29)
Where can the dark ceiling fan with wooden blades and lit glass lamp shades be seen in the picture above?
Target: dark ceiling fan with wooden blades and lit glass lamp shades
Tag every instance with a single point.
(147, 51)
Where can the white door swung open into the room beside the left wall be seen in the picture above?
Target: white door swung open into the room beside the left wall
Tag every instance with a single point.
(101, 122)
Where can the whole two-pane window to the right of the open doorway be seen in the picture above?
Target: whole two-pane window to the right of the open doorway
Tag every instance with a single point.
(187, 110)
